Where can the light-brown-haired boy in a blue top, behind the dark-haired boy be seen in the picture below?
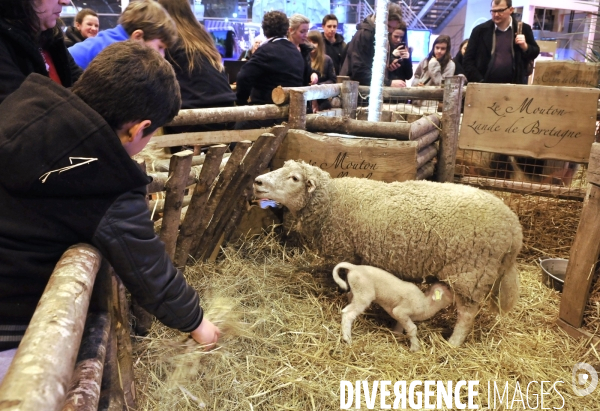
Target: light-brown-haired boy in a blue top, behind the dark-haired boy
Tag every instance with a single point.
(145, 21)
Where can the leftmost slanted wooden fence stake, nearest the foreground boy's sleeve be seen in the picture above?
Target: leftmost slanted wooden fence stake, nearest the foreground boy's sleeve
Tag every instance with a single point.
(179, 170)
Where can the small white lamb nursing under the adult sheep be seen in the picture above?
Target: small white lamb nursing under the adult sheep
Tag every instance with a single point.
(404, 301)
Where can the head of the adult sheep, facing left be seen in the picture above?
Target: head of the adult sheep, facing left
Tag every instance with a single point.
(292, 185)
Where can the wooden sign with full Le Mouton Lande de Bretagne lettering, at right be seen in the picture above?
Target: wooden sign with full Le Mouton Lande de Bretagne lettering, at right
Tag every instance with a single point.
(535, 121)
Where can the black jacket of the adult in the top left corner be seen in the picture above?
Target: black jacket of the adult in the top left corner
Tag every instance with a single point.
(20, 56)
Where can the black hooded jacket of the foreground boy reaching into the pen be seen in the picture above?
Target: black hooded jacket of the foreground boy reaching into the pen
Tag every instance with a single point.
(43, 126)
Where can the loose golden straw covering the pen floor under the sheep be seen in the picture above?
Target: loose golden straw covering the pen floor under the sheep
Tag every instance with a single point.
(281, 347)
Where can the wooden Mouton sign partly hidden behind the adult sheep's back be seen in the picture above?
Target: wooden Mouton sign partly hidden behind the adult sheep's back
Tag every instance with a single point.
(377, 159)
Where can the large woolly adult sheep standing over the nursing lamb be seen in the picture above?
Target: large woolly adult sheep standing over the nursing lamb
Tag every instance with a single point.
(460, 235)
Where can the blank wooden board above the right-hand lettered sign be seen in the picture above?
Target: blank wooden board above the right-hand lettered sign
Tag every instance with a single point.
(566, 74)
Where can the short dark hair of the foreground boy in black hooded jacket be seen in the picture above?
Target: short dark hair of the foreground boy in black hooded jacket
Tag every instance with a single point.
(127, 82)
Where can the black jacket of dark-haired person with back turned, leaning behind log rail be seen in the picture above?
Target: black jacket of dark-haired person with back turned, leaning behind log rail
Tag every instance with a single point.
(275, 63)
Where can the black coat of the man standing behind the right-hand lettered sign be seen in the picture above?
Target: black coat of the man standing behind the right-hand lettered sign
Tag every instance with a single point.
(477, 60)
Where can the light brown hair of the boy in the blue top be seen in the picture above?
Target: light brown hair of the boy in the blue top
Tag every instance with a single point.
(152, 19)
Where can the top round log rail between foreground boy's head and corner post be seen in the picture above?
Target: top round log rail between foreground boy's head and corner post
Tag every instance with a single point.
(228, 114)
